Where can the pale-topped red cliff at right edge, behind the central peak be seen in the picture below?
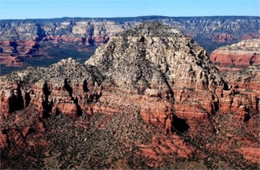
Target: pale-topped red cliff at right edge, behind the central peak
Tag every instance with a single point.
(237, 56)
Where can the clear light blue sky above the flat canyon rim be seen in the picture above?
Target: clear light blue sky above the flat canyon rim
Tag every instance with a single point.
(21, 9)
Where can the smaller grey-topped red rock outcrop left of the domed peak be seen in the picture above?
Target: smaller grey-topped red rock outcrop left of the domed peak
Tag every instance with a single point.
(59, 88)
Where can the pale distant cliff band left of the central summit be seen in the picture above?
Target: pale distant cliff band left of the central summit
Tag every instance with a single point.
(32, 30)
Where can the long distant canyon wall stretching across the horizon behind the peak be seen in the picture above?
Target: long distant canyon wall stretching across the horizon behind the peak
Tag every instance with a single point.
(219, 29)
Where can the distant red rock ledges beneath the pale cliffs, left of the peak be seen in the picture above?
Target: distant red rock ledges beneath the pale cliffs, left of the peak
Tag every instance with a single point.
(13, 53)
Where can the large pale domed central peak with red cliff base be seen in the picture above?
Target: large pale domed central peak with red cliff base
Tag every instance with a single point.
(161, 66)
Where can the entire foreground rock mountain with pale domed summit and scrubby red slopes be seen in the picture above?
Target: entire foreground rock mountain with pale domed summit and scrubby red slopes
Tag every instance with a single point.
(149, 98)
